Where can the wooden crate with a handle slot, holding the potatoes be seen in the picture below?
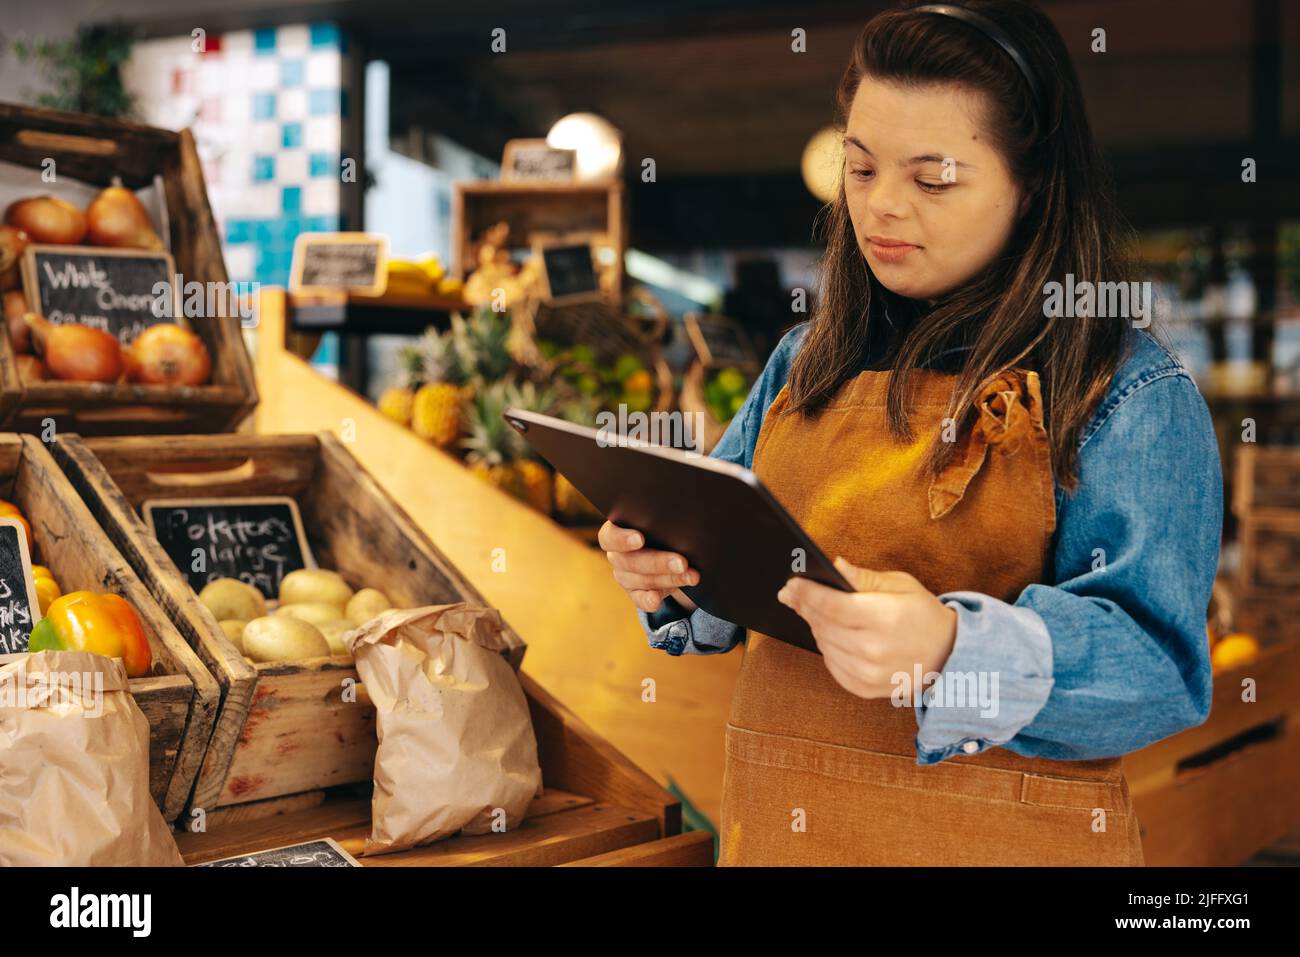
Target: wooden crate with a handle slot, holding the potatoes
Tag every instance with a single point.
(283, 728)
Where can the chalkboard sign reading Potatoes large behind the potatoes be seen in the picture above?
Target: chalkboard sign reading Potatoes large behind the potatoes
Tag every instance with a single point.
(254, 540)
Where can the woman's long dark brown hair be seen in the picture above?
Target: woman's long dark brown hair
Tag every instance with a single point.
(1071, 226)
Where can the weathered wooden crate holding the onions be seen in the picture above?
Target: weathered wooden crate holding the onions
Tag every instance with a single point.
(94, 150)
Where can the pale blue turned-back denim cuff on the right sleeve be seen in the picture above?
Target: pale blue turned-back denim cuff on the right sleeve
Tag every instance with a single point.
(996, 681)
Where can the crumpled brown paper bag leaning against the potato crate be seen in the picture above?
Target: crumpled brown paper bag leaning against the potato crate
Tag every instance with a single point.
(456, 737)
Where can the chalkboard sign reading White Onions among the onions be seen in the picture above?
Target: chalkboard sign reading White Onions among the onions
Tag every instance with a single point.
(122, 292)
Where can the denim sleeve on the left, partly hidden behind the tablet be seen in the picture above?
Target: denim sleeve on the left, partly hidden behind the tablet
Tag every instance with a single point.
(670, 627)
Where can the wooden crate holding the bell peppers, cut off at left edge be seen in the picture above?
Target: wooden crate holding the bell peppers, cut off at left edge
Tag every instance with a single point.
(180, 699)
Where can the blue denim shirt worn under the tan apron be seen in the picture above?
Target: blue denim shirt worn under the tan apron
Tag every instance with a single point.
(1111, 655)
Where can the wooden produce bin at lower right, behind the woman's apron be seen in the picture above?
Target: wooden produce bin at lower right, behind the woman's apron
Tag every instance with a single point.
(1215, 795)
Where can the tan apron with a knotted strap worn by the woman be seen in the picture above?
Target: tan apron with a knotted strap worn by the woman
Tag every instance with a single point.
(817, 776)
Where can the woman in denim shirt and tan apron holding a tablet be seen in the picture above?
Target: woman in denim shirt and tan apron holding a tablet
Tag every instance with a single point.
(1026, 496)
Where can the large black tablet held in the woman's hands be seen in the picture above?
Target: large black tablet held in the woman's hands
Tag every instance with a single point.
(717, 514)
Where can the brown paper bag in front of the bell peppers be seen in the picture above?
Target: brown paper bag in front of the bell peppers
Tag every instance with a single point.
(75, 767)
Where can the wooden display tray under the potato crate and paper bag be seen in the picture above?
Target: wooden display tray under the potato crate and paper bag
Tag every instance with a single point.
(597, 809)
